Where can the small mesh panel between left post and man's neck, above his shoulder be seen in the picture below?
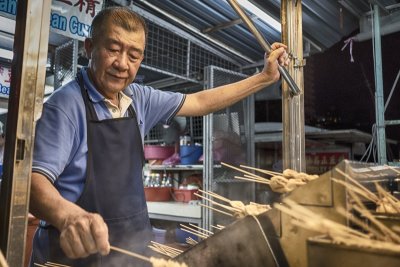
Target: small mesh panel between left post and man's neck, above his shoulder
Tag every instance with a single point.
(65, 63)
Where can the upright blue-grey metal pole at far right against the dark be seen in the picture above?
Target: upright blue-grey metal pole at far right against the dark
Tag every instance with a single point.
(379, 101)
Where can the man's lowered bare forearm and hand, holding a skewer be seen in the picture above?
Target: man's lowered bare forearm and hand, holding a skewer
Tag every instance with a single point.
(82, 233)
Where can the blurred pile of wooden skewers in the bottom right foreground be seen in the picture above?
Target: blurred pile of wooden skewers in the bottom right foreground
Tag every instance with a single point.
(374, 234)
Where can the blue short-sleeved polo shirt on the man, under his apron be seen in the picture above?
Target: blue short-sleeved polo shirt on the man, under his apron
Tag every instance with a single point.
(60, 150)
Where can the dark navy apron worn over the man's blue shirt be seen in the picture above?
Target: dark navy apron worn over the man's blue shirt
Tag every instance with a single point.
(113, 188)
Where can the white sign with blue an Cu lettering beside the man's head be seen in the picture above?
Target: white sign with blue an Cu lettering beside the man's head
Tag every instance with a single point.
(73, 18)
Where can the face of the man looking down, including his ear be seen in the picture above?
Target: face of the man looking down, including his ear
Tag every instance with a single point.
(115, 59)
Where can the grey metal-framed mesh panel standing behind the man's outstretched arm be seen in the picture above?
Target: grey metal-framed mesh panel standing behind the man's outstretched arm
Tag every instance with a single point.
(231, 141)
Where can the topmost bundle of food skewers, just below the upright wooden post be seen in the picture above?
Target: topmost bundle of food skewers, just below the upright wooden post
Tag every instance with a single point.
(283, 182)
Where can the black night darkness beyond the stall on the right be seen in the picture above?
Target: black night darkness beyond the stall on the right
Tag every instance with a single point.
(339, 94)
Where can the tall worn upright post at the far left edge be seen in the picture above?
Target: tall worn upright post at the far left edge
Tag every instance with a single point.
(26, 98)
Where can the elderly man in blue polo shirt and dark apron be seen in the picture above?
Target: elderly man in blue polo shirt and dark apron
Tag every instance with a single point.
(88, 157)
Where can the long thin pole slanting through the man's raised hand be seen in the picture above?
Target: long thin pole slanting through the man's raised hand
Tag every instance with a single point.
(294, 89)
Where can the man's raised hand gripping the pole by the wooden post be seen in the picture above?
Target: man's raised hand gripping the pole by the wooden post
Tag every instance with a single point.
(277, 55)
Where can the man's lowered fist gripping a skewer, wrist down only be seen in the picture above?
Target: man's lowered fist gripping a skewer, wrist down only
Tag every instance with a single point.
(84, 234)
